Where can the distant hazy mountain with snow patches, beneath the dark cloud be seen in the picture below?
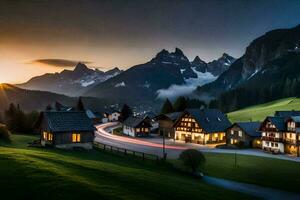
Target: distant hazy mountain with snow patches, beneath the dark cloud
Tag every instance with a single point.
(70, 82)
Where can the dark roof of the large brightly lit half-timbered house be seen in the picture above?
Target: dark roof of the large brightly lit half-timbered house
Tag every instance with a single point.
(211, 120)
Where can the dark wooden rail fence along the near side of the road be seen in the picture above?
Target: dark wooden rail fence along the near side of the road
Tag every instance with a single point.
(143, 156)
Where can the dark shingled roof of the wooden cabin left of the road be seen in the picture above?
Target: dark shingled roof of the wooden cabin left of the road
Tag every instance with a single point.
(68, 121)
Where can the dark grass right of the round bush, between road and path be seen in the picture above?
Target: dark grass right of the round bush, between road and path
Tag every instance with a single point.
(268, 172)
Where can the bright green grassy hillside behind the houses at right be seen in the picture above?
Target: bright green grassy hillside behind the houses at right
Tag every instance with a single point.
(259, 112)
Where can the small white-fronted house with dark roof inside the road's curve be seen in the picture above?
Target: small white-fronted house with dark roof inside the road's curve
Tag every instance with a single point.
(137, 126)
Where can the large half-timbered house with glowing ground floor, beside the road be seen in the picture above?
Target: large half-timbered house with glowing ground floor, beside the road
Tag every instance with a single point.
(207, 126)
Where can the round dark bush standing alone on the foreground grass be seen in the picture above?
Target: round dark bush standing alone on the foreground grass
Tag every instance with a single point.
(192, 159)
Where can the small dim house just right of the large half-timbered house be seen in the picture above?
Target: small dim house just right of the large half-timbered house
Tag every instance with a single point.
(244, 133)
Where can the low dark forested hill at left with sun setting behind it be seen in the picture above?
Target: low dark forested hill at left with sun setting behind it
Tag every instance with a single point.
(38, 100)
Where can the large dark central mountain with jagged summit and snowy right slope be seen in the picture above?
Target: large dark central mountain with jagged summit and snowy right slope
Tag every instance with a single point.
(166, 75)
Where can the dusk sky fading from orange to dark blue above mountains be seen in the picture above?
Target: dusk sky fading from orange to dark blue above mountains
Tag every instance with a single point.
(46, 36)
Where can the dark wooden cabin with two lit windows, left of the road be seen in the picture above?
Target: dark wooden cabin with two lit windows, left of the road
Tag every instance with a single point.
(66, 129)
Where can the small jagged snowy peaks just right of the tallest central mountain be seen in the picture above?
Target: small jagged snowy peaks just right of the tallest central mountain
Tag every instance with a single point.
(215, 67)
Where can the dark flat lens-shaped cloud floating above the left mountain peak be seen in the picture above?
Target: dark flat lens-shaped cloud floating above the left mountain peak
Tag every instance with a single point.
(58, 62)
